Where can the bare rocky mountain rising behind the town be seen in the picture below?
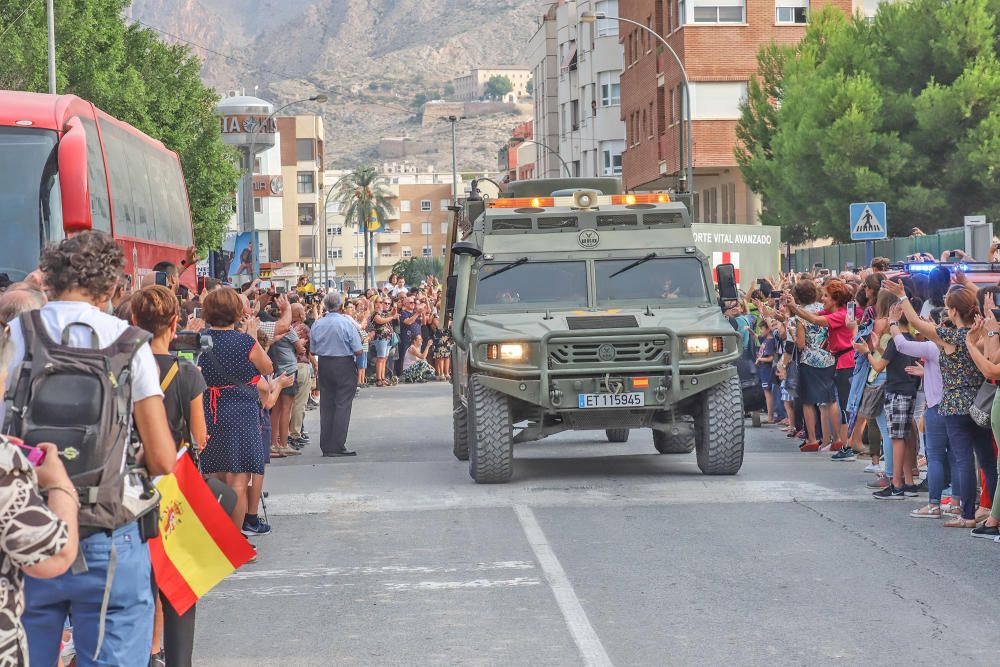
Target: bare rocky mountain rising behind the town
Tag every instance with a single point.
(371, 57)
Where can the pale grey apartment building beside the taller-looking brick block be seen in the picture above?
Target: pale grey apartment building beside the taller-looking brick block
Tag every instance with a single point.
(577, 91)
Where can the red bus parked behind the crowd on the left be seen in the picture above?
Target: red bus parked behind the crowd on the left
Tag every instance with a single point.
(66, 166)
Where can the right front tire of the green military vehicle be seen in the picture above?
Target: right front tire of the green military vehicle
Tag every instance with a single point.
(719, 429)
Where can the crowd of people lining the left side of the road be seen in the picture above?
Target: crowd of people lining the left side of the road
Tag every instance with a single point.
(227, 376)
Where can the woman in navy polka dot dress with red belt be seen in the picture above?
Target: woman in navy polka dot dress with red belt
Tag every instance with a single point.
(232, 369)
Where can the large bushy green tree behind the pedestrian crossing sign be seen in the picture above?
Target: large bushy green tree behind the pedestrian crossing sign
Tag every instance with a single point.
(904, 109)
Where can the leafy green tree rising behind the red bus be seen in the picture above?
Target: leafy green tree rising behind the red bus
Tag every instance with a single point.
(129, 73)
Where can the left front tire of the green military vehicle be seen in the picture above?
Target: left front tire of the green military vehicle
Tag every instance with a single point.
(491, 437)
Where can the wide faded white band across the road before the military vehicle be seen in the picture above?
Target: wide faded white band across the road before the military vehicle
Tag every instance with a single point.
(668, 492)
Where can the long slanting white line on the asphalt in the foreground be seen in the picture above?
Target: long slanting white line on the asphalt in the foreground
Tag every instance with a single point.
(583, 633)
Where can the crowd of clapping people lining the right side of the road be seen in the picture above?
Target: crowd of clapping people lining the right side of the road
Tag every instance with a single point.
(895, 368)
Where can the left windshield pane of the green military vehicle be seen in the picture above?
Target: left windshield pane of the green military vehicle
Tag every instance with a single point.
(532, 284)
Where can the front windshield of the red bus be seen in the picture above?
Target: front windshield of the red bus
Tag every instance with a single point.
(30, 207)
